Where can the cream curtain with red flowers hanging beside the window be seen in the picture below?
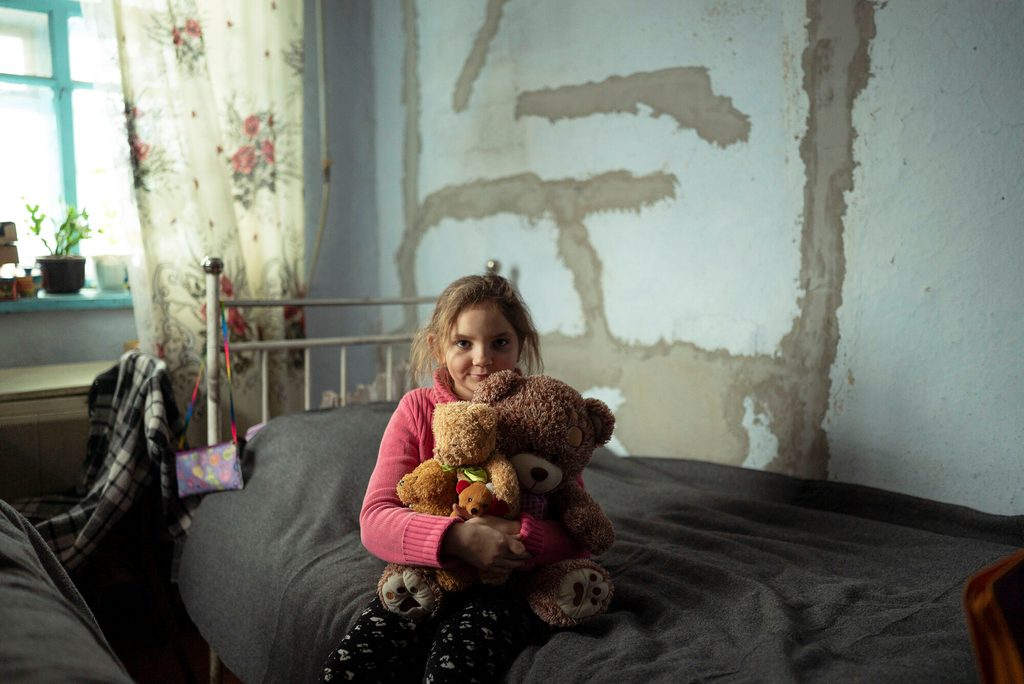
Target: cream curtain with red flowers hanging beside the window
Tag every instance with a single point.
(214, 112)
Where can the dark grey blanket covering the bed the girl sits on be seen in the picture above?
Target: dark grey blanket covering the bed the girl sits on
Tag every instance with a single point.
(721, 574)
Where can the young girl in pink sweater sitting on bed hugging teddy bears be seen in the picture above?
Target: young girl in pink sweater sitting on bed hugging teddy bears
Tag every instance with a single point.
(480, 326)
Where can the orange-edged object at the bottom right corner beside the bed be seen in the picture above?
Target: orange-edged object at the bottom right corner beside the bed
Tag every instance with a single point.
(997, 622)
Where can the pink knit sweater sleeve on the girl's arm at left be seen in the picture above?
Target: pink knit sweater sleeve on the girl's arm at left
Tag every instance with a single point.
(391, 531)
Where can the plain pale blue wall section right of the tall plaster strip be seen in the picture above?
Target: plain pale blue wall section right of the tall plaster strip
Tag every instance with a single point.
(927, 388)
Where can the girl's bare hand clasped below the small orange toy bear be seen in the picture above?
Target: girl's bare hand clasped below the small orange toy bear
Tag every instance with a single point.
(488, 543)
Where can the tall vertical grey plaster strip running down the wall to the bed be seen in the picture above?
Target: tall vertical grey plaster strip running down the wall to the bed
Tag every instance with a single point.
(837, 66)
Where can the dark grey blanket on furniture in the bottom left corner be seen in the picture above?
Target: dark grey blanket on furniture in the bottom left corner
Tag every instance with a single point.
(48, 633)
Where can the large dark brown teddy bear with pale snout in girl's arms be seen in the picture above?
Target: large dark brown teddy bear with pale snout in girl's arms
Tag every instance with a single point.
(549, 433)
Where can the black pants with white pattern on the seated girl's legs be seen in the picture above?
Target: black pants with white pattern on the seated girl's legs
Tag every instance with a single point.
(474, 639)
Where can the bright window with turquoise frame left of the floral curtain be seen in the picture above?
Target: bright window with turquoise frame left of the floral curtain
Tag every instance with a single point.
(62, 123)
